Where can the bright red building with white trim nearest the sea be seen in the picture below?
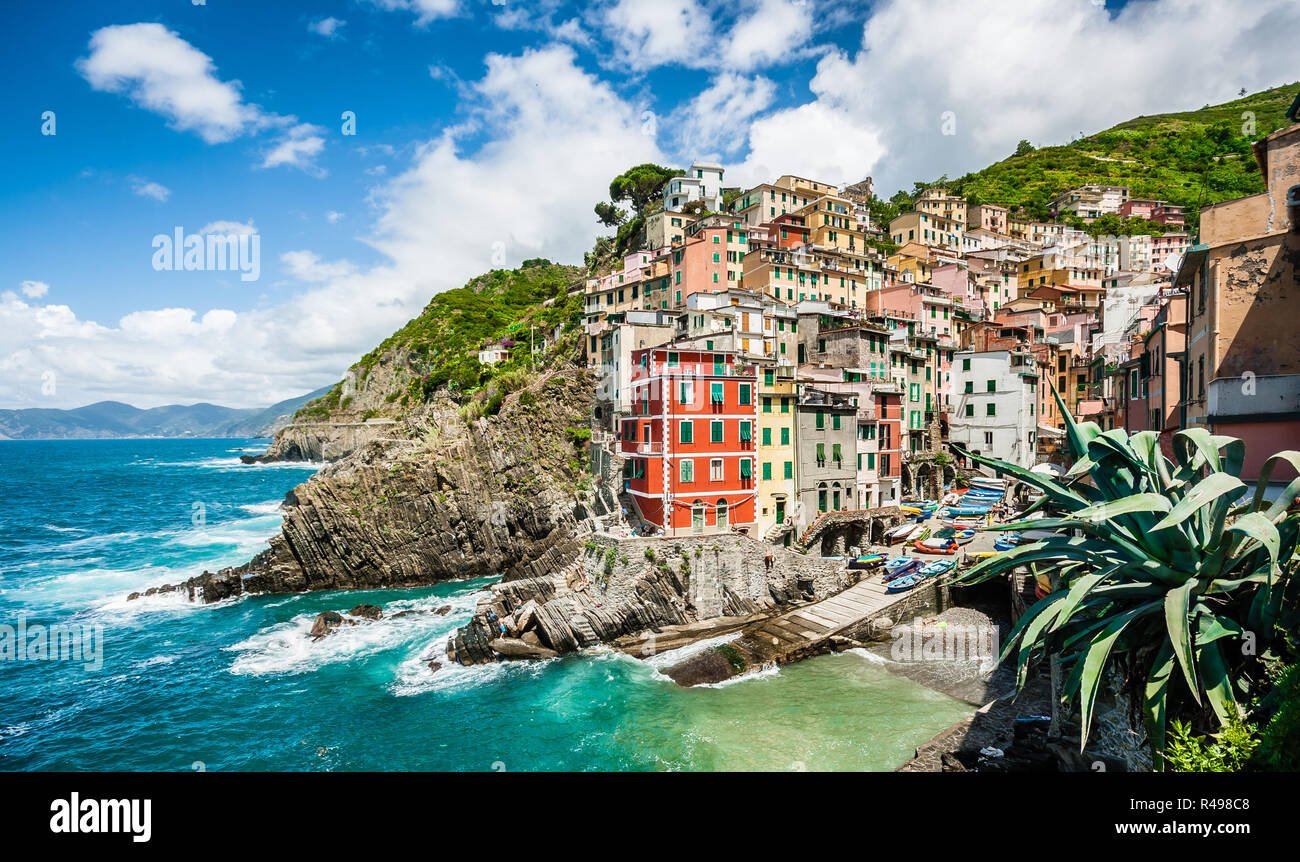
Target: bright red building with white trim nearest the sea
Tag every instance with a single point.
(690, 445)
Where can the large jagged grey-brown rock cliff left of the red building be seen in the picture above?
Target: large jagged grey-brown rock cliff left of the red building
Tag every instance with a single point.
(439, 499)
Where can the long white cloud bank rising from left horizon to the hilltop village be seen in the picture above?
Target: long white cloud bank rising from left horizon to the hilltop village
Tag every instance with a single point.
(440, 223)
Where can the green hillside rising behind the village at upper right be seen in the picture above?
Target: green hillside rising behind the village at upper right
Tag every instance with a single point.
(1193, 159)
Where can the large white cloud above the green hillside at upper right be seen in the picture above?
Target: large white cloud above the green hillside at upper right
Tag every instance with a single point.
(986, 63)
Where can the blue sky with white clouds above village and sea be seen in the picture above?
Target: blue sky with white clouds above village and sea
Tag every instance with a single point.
(383, 151)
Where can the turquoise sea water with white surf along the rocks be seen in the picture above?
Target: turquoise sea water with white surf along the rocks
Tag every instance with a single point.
(240, 686)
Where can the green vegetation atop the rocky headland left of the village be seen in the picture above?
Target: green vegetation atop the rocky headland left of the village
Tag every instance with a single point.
(440, 349)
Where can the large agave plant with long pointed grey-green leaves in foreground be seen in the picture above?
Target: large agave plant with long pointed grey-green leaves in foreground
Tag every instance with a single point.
(1167, 564)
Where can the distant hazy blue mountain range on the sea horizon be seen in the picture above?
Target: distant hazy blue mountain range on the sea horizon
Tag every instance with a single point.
(110, 419)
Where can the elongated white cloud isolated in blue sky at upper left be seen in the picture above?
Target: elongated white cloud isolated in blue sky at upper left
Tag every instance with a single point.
(163, 73)
